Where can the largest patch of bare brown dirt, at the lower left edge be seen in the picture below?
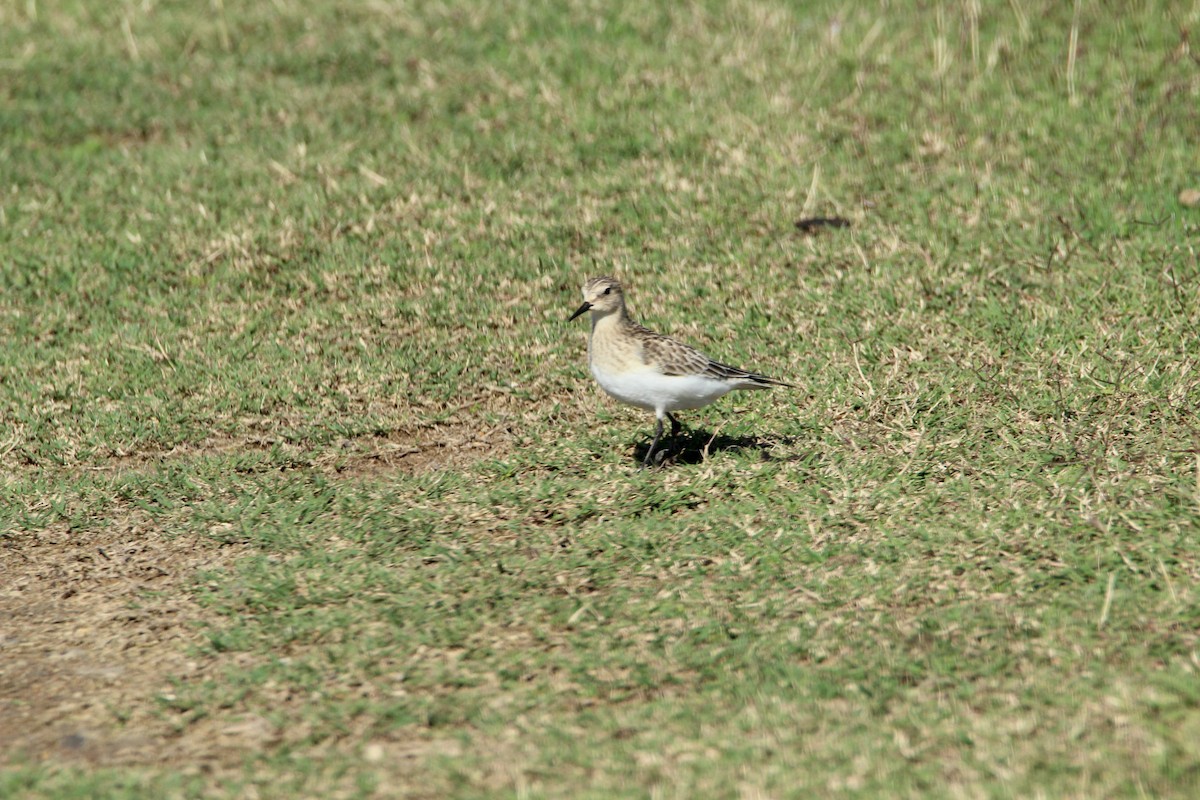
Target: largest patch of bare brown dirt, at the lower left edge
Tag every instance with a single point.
(93, 628)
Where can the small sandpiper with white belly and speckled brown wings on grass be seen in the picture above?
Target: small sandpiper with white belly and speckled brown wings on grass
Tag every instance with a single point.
(649, 370)
